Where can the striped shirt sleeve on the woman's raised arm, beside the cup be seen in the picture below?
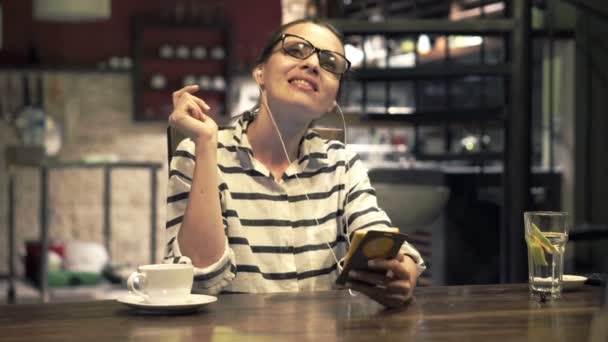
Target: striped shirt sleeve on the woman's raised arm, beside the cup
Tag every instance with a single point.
(211, 279)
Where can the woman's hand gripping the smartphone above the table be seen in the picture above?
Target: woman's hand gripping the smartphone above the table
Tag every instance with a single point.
(391, 289)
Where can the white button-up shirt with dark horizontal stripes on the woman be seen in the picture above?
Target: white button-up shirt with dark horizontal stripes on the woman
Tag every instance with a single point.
(280, 234)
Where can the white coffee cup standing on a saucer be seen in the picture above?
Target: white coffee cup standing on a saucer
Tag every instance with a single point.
(162, 283)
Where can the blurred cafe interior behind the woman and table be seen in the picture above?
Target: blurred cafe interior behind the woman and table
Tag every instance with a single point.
(433, 114)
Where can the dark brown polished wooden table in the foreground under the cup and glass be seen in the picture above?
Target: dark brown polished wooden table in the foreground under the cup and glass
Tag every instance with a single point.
(456, 313)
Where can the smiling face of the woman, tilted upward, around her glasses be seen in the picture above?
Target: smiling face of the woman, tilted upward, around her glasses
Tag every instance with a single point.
(301, 85)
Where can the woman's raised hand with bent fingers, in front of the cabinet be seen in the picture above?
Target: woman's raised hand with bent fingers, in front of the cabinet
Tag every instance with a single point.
(190, 116)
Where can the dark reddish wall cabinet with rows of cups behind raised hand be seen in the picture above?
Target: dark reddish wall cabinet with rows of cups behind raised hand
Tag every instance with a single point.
(169, 55)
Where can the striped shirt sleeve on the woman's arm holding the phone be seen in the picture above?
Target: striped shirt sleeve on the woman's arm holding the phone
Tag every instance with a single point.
(361, 206)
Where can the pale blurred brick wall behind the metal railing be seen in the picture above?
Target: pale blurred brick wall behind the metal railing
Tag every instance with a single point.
(99, 116)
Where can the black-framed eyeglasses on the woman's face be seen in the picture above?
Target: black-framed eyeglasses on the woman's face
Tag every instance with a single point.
(298, 47)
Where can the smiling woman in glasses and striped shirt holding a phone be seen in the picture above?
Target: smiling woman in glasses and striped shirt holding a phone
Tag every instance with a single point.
(288, 200)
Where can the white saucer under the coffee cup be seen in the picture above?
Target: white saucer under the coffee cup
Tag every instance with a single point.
(190, 304)
